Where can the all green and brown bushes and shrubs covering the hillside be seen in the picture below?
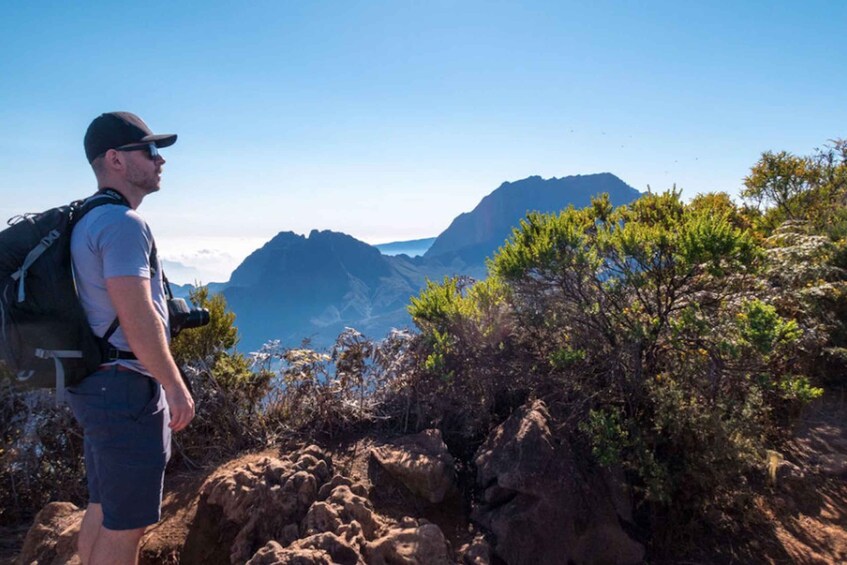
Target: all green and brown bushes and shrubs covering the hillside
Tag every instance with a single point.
(673, 341)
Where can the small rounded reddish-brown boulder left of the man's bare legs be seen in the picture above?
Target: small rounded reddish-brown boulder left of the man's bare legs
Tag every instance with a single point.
(52, 538)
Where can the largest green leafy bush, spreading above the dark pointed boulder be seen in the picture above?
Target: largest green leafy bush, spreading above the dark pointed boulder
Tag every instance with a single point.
(663, 332)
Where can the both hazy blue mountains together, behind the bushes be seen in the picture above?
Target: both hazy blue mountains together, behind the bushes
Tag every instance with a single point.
(297, 287)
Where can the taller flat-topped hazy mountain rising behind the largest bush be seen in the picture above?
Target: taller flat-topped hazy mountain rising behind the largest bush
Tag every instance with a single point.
(473, 236)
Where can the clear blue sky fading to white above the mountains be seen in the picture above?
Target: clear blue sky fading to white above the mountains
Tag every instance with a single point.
(385, 120)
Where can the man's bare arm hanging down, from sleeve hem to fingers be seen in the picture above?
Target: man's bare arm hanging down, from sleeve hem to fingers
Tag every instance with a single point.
(145, 333)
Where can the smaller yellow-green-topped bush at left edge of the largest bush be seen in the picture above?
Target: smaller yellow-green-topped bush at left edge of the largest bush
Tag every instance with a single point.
(470, 374)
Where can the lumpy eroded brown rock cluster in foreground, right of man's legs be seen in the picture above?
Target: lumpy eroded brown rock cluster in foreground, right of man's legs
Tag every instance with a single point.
(294, 510)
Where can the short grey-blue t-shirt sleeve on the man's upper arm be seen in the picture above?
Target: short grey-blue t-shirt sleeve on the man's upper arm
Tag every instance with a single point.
(124, 242)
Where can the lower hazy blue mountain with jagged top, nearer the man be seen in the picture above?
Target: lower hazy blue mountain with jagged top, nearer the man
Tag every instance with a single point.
(298, 287)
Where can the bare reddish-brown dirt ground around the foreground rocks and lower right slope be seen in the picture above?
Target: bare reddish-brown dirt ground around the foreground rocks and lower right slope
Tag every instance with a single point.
(801, 518)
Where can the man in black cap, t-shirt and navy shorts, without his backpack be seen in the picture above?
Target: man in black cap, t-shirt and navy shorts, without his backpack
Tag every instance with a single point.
(131, 404)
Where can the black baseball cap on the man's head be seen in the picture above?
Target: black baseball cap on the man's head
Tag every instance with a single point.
(117, 129)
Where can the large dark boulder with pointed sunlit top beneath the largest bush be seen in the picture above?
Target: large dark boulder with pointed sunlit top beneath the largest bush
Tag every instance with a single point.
(540, 507)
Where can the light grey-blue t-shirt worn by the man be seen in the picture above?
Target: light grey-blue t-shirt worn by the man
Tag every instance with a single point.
(114, 241)
